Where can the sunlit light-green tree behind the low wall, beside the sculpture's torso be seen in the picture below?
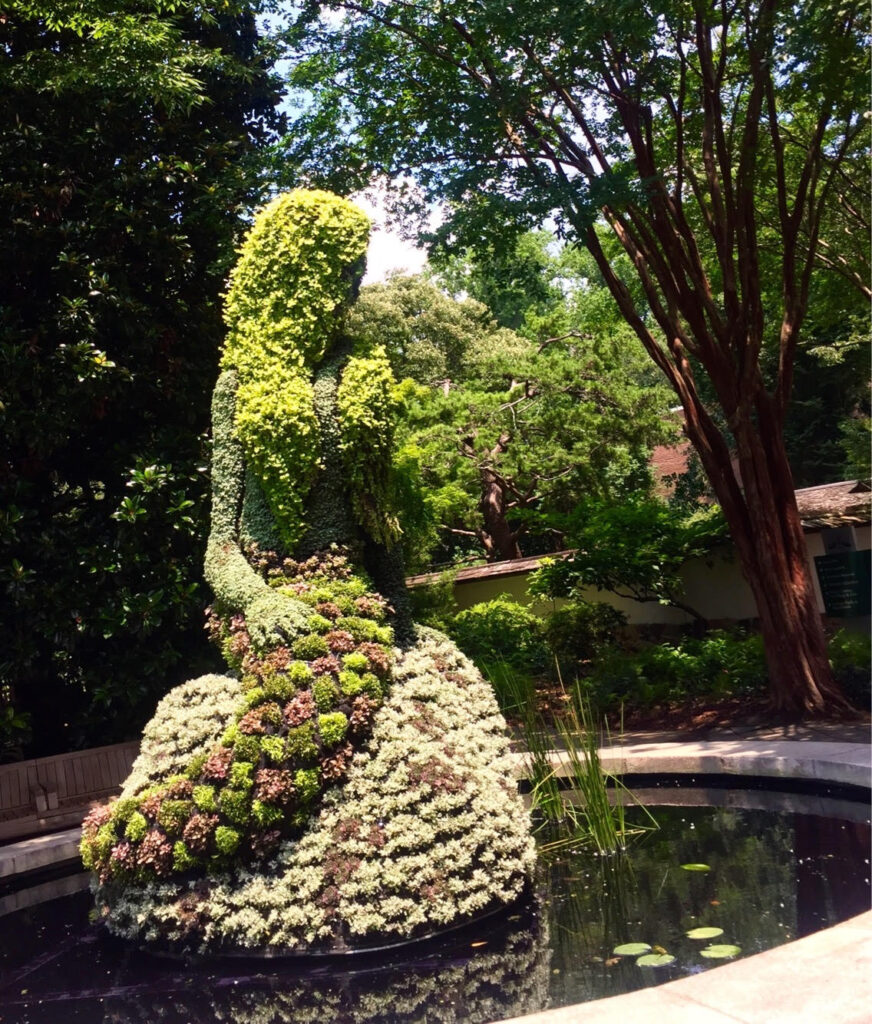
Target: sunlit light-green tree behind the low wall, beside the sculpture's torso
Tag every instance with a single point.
(505, 433)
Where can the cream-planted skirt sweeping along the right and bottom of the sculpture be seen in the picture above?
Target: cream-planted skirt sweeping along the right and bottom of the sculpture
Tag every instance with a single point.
(426, 832)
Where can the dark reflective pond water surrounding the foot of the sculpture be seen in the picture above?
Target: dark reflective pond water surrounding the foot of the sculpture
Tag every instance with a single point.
(774, 875)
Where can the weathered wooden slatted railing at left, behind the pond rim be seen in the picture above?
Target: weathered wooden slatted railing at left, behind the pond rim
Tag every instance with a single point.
(53, 793)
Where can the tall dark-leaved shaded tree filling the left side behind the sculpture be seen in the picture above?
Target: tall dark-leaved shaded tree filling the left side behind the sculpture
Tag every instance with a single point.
(127, 146)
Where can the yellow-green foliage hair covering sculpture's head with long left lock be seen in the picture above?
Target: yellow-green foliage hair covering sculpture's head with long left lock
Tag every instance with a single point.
(288, 292)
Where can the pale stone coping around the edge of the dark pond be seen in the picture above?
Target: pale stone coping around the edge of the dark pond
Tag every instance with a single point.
(825, 978)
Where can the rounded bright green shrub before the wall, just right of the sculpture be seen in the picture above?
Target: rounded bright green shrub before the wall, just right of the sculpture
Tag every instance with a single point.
(502, 630)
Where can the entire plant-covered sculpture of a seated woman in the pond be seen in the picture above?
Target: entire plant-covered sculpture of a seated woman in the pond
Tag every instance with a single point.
(338, 791)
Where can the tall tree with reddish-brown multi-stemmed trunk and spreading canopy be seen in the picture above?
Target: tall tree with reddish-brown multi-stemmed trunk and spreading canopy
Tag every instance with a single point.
(712, 140)
